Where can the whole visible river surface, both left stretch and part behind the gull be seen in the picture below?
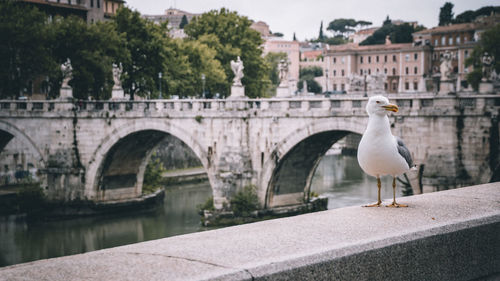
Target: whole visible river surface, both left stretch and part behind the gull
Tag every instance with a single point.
(337, 177)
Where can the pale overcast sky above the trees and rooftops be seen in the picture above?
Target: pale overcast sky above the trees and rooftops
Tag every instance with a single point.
(304, 16)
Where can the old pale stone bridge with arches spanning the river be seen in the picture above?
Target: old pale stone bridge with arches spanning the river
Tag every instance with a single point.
(99, 150)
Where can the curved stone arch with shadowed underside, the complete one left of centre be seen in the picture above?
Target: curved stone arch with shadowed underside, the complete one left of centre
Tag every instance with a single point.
(138, 139)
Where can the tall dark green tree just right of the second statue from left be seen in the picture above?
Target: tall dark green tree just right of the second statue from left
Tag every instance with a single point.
(146, 43)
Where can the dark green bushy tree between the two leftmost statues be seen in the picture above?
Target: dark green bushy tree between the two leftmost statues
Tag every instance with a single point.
(92, 50)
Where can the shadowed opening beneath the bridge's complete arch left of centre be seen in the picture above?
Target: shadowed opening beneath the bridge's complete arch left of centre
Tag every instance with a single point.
(124, 167)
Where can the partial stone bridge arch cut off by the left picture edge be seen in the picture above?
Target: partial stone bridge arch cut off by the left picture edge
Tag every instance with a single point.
(9, 132)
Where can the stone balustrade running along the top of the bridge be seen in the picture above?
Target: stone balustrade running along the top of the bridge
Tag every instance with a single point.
(410, 104)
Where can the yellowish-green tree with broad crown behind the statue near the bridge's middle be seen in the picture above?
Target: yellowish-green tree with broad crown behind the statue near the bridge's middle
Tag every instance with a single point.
(230, 35)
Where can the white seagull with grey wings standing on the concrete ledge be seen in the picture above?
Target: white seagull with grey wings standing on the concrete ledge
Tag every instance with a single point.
(379, 152)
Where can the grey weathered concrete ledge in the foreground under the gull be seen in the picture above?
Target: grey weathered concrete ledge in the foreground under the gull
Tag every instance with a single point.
(448, 235)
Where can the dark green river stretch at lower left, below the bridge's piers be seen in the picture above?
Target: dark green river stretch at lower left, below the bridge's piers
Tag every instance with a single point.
(22, 242)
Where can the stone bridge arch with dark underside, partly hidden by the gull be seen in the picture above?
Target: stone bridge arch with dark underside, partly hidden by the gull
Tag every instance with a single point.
(293, 160)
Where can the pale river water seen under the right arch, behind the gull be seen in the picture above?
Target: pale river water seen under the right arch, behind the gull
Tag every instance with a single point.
(340, 178)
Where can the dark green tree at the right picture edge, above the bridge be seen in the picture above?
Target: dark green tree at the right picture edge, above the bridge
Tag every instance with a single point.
(489, 43)
